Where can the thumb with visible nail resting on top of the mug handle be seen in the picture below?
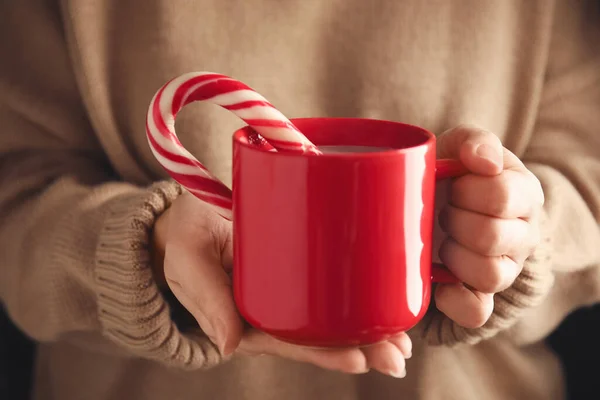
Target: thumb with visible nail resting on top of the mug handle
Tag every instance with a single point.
(479, 150)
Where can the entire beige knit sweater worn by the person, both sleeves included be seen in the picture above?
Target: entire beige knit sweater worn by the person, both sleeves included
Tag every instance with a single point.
(80, 190)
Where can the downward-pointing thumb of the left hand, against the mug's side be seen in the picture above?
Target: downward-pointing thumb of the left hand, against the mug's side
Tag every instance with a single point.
(197, 267)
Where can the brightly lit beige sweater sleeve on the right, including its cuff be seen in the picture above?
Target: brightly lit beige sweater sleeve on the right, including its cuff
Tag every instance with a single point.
(564, 153)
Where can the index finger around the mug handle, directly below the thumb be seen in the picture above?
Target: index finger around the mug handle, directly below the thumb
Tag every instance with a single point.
(511, 194)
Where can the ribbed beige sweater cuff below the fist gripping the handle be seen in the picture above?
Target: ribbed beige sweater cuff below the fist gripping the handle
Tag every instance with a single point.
(529, 289)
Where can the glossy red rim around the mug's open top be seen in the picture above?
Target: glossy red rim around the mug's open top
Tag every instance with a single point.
(242, 133)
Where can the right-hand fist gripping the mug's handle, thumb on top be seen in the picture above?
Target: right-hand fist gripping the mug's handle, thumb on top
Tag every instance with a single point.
(491, 220)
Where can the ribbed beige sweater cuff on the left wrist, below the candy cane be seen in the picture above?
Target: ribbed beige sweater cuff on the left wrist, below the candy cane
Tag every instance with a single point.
(132, 311)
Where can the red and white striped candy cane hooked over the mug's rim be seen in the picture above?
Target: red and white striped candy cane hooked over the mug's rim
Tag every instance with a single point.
(254, 109)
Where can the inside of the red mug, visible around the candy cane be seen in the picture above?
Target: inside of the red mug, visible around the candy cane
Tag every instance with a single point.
(387, 136)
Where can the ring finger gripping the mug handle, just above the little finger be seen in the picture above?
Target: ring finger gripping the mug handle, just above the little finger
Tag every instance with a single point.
(486, 274)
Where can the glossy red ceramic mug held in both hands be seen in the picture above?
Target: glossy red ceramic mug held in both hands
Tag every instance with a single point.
(336, 249)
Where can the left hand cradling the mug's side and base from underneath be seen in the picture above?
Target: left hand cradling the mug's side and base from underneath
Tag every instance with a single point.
(193, 249)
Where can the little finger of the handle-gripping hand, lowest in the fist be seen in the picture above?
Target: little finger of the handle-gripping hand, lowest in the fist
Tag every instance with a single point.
(467, 308)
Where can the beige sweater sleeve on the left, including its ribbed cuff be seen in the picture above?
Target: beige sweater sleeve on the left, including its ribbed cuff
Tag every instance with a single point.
(74, 257)
